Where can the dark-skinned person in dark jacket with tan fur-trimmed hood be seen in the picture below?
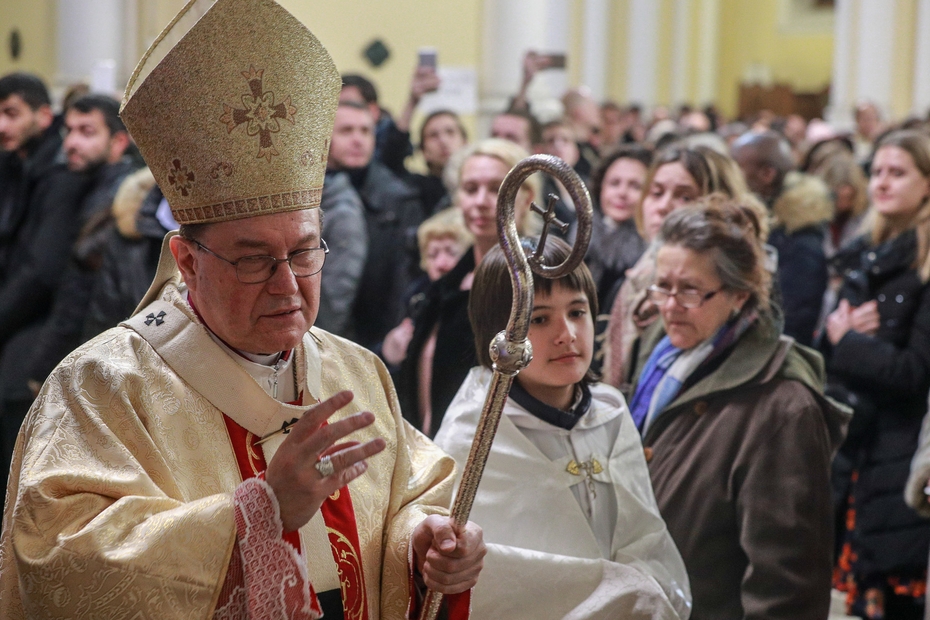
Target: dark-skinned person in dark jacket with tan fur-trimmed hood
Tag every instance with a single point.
(802, 208)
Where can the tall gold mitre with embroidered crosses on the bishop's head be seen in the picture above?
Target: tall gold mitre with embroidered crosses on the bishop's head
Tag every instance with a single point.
(232, 108)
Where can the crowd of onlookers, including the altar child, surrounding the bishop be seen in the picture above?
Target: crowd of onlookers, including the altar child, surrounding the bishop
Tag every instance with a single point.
(726, 399)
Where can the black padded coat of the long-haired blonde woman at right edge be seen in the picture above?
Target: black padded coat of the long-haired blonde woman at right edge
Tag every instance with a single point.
(889, 375)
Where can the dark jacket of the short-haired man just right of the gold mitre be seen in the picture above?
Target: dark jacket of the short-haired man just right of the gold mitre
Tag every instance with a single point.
(392, 214)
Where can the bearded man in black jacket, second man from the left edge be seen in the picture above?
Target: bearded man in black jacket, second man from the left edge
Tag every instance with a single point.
(95, 144)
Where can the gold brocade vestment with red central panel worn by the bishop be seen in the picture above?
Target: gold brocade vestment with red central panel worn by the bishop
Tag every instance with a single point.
(126, 499)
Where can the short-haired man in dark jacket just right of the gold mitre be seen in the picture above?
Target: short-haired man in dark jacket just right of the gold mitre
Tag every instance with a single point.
(392, 213)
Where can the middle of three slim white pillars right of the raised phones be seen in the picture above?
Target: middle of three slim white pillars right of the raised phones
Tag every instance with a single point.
(643, 52)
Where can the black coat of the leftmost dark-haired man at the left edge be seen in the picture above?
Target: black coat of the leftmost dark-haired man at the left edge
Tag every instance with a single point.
(39, 213)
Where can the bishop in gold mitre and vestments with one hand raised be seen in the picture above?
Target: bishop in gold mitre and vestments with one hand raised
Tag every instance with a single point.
(215, 455)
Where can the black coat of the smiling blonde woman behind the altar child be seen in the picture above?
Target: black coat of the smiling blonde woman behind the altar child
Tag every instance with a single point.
(446, 310)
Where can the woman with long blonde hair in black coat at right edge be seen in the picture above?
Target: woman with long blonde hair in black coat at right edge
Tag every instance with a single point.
(879, 337)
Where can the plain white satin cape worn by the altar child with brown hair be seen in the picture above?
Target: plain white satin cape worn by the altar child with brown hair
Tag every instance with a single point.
(543, 559)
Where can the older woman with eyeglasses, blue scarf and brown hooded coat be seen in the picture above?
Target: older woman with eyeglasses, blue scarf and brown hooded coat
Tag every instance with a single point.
(737, 432)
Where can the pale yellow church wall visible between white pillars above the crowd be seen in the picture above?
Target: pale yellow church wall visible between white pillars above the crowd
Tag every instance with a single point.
(751, 32)
